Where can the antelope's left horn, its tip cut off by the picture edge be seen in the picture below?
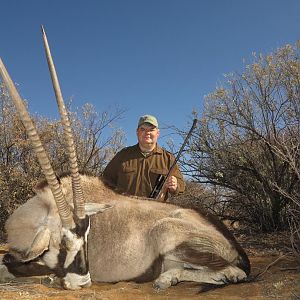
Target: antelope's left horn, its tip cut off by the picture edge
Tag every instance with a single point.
(62, 206)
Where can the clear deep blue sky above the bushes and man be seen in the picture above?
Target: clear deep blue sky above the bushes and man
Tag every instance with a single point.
(159, 57)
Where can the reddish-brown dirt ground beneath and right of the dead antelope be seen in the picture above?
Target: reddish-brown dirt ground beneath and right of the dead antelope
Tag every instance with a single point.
(269, 254)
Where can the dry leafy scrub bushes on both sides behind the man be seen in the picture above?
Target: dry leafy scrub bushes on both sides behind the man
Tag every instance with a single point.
(243, 161)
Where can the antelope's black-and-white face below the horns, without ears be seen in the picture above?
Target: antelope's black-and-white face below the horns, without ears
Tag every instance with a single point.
(73, 257)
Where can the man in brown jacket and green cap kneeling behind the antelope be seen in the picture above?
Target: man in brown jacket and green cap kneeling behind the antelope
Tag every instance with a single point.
(135, 169)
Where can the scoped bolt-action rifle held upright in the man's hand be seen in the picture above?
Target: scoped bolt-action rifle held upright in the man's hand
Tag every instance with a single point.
(159, 190)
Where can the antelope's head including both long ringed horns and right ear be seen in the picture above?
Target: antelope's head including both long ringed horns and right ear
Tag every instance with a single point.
(73, 266)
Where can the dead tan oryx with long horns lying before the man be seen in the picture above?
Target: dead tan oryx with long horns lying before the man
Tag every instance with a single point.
(135, 240)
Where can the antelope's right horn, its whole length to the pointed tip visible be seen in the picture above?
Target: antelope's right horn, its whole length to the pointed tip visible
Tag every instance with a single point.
(78, 198)
